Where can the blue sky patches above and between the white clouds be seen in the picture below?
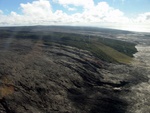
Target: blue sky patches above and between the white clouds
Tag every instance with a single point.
(129, 7)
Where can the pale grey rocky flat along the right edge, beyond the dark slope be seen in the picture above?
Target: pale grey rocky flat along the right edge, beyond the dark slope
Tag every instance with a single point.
(139, 95)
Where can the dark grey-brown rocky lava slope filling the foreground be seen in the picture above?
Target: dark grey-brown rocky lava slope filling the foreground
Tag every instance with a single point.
(57, 78)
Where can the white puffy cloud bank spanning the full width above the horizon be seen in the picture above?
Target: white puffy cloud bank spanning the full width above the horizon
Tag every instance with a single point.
(100, 14)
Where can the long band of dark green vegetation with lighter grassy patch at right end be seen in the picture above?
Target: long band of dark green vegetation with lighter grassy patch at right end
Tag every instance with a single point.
(109, 50)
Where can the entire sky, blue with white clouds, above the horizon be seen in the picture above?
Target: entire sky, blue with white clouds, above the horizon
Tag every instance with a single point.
(131, 15)
